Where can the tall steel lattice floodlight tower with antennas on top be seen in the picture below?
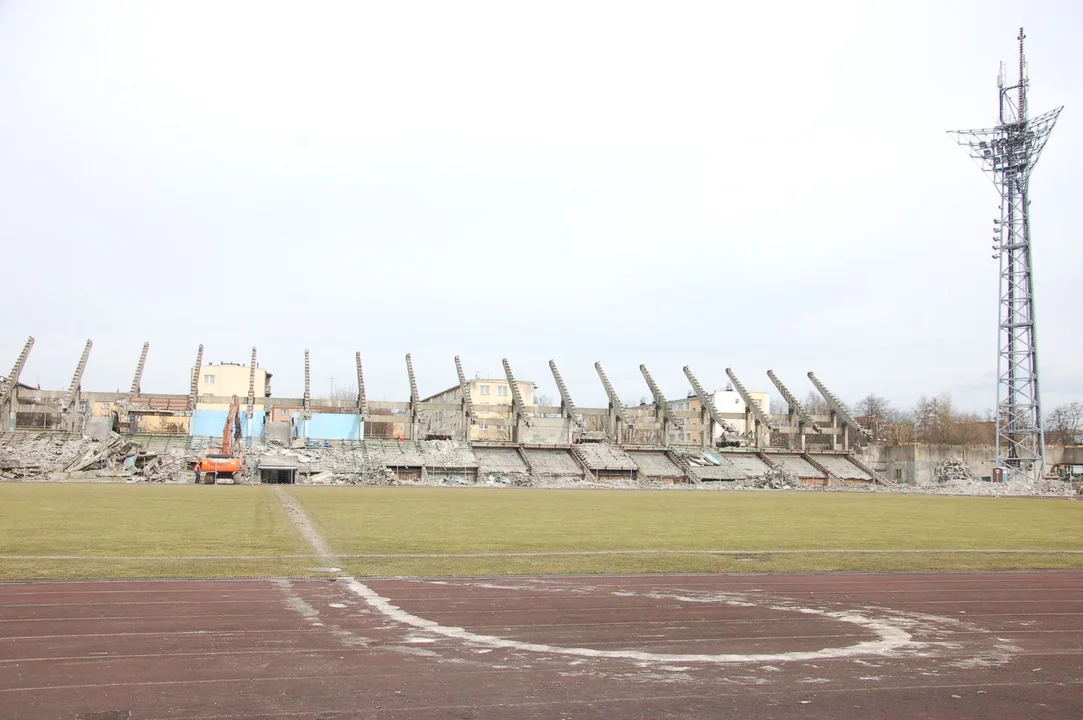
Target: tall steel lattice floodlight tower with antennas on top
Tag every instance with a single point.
(1009, 154)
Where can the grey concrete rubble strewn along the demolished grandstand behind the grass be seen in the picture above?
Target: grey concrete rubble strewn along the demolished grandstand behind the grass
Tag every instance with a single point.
(59, 457)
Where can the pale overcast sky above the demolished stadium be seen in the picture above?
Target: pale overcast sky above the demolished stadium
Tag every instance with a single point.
(720, 185)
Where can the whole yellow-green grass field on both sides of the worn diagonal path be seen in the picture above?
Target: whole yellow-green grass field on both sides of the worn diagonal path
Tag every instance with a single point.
(154, 531)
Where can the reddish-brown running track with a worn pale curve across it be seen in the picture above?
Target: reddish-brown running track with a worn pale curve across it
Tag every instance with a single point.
(828, 646)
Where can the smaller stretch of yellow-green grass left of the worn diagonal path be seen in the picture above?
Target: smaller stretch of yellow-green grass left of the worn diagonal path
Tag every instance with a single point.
(136, 531)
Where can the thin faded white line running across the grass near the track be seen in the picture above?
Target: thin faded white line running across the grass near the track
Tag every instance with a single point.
(558, 554)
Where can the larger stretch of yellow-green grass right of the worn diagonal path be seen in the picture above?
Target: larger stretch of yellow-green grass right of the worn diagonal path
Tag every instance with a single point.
(908, 530)
